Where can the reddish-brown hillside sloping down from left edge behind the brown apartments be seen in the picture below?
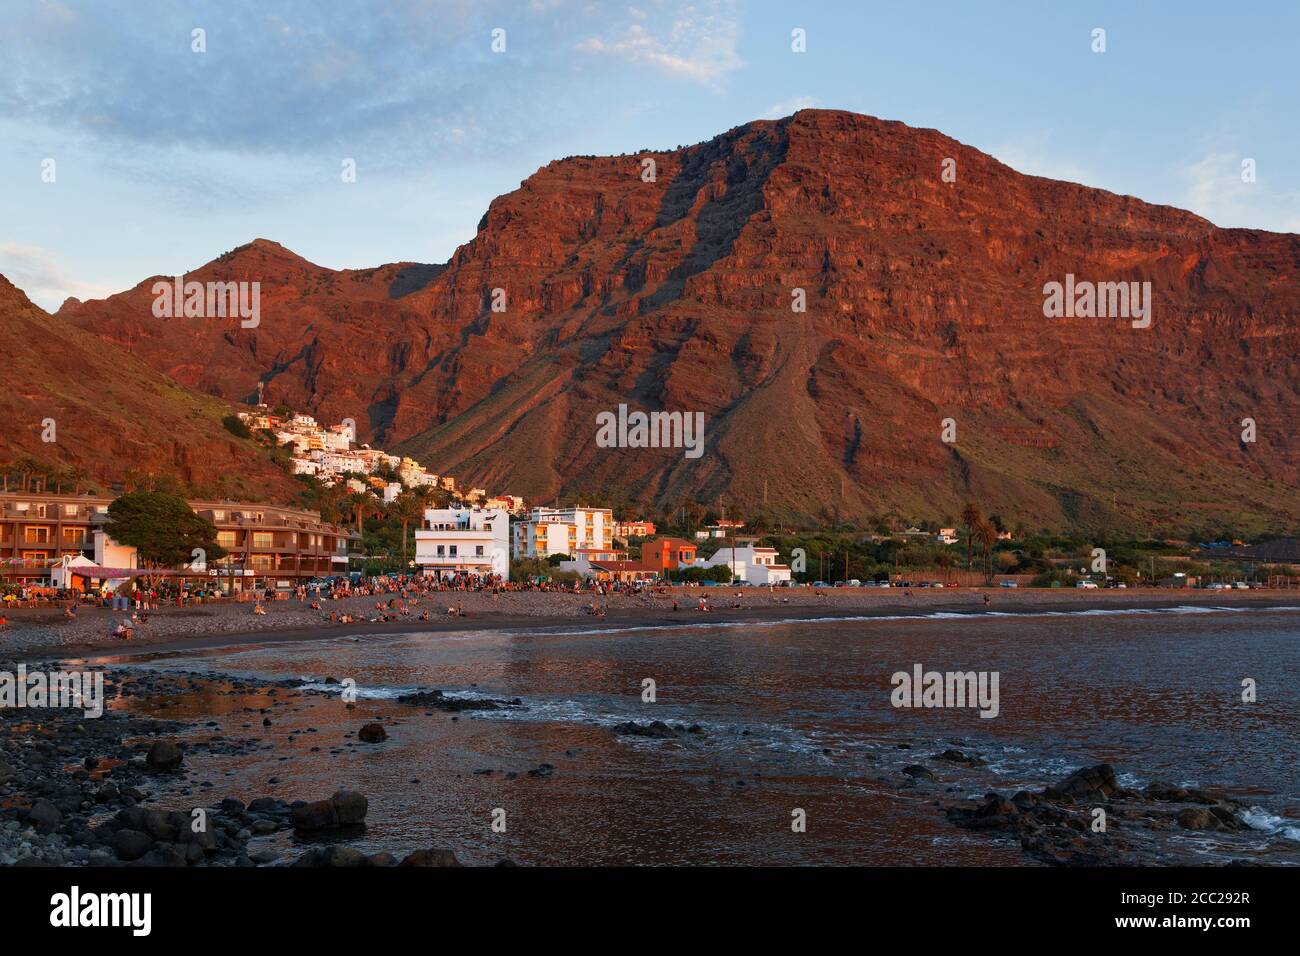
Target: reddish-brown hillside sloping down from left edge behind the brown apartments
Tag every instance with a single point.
(112, 414)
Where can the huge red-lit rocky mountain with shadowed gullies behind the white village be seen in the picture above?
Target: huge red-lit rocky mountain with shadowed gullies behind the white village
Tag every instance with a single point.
(925, 301)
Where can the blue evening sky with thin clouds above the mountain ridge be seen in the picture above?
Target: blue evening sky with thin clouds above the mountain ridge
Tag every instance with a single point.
(127, 152)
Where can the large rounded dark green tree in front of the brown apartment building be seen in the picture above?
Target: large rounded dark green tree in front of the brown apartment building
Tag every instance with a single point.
(163, 530)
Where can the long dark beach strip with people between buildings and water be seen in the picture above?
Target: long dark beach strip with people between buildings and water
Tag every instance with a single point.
(37, 634)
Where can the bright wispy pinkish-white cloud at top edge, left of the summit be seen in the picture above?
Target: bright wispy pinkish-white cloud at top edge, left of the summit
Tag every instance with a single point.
(695, 45)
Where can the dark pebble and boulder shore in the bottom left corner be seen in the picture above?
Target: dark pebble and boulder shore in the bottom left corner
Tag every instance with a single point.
(86, 793)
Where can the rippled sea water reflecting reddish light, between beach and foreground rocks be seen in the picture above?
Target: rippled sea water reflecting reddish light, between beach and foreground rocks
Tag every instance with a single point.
(794, 717)
